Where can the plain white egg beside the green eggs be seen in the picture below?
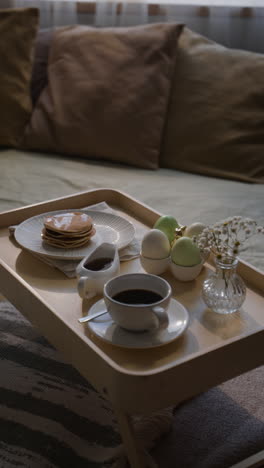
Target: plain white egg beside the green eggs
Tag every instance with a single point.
(155, 245)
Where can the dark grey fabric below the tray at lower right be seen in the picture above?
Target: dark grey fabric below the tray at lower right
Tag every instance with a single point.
(219, 428)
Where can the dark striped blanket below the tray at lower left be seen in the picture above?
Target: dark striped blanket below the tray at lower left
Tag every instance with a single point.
(49, 415)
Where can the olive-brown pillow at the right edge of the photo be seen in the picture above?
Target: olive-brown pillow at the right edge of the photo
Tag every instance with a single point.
(215, 121)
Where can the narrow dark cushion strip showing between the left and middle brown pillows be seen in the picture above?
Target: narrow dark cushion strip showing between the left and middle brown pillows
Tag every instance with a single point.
(39, 77)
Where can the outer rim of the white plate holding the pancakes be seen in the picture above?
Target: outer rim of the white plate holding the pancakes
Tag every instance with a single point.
(71, 254)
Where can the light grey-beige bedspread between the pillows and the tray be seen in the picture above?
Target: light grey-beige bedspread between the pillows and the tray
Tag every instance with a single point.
(27, 178)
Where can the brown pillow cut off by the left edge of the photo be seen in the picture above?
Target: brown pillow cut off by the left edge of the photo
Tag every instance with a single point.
(18, 29)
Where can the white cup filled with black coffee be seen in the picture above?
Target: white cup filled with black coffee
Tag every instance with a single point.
(141, 315)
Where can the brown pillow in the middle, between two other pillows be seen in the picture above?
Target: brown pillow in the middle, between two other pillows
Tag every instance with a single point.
(107, 93)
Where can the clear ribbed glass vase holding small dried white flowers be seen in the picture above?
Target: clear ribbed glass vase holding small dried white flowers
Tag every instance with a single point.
(224, 291)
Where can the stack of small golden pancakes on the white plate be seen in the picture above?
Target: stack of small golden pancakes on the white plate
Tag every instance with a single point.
(68, 230)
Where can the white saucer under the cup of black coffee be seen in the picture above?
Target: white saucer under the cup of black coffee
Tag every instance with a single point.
(105, 328)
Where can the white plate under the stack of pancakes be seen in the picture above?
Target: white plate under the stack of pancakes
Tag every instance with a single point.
(109, 228)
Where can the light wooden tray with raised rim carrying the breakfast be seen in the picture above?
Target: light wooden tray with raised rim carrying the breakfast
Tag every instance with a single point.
(213, 349)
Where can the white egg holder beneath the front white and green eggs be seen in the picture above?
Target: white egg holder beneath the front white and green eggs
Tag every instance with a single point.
(181, 273)
